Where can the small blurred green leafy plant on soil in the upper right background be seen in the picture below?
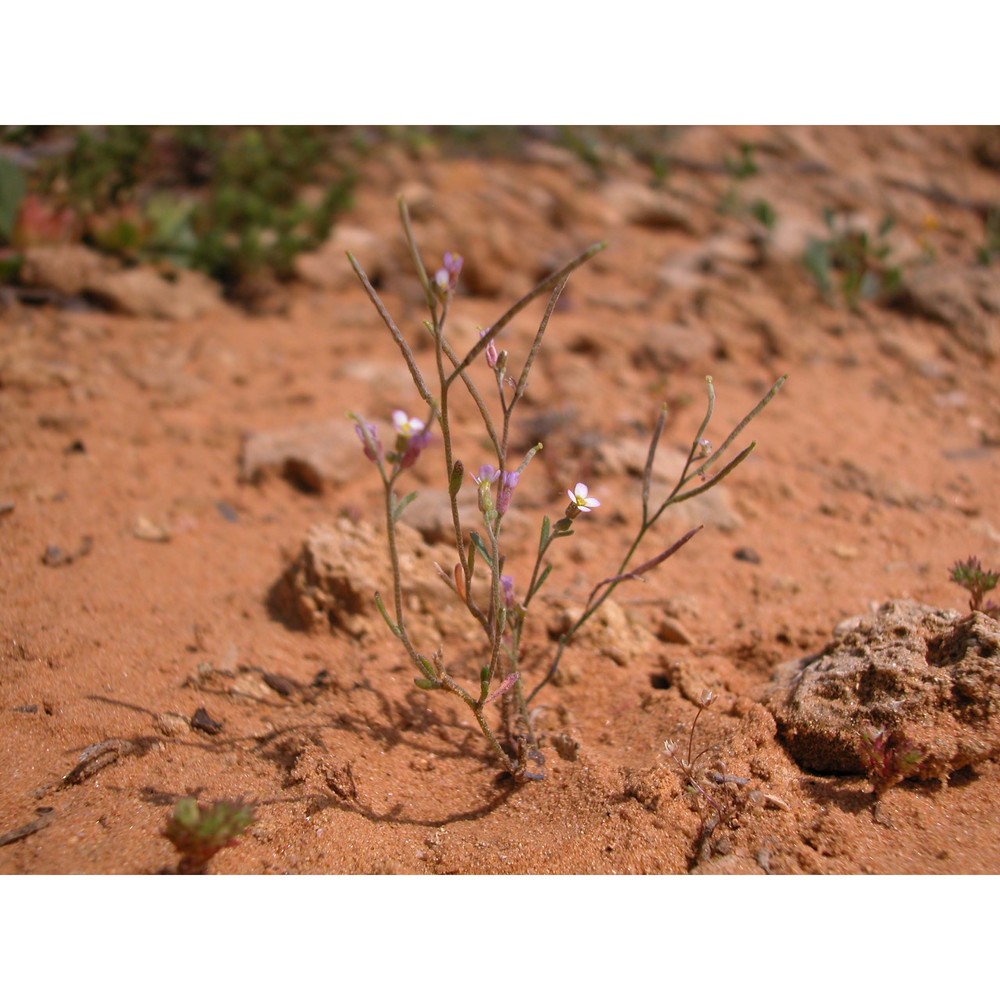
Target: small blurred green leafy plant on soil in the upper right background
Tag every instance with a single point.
(853, 261)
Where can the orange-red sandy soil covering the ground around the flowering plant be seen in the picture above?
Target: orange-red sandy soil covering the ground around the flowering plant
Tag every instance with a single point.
(875, 470)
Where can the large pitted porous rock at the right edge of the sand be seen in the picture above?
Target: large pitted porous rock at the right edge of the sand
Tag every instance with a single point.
(930, 676)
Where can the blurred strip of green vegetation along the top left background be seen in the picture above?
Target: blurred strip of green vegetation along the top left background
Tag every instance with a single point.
(236, 202)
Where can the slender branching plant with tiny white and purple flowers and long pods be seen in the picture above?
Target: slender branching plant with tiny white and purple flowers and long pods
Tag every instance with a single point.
(480, 553)
